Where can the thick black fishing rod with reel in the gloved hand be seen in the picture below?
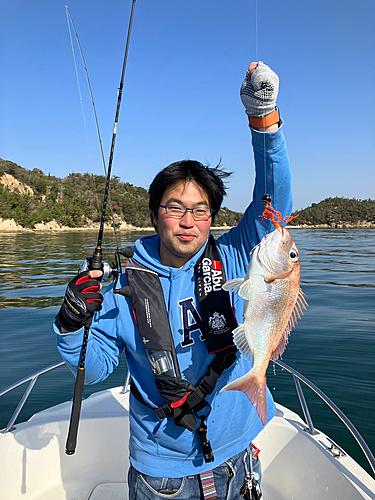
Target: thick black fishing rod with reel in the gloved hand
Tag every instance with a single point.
(96, 263)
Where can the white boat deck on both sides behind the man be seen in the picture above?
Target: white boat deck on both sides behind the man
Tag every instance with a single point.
(34, 466)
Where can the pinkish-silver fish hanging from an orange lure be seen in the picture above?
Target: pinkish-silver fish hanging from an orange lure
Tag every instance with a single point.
(273, 302)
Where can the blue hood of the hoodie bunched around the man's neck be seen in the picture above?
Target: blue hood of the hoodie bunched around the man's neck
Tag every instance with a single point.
(146, 251)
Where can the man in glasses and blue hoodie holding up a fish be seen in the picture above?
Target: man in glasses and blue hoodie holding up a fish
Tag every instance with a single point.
(176, 327)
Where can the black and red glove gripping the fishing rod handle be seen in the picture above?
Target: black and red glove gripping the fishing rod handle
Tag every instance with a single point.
(82, 299)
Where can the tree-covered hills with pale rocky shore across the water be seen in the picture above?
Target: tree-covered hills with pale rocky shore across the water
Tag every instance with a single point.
(31, 201)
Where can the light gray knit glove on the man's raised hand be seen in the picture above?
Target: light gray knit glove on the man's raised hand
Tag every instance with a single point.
(259, 91)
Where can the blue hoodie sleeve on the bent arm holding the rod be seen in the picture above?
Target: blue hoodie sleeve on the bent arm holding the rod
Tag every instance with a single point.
(103, 347)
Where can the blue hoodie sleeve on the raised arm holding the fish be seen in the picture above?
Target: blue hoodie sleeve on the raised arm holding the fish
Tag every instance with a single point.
(272, 176)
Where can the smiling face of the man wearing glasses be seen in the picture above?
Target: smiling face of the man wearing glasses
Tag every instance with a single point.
(182, 238)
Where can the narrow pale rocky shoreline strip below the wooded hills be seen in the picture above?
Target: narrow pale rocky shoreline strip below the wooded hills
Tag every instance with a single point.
(11, 226)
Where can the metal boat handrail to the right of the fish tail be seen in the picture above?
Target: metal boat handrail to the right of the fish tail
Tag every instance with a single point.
(357, 436)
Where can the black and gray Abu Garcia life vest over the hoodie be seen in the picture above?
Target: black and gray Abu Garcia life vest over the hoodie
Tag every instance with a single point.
(185, 401)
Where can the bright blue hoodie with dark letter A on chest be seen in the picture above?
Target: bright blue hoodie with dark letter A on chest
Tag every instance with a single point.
(157, 447)
